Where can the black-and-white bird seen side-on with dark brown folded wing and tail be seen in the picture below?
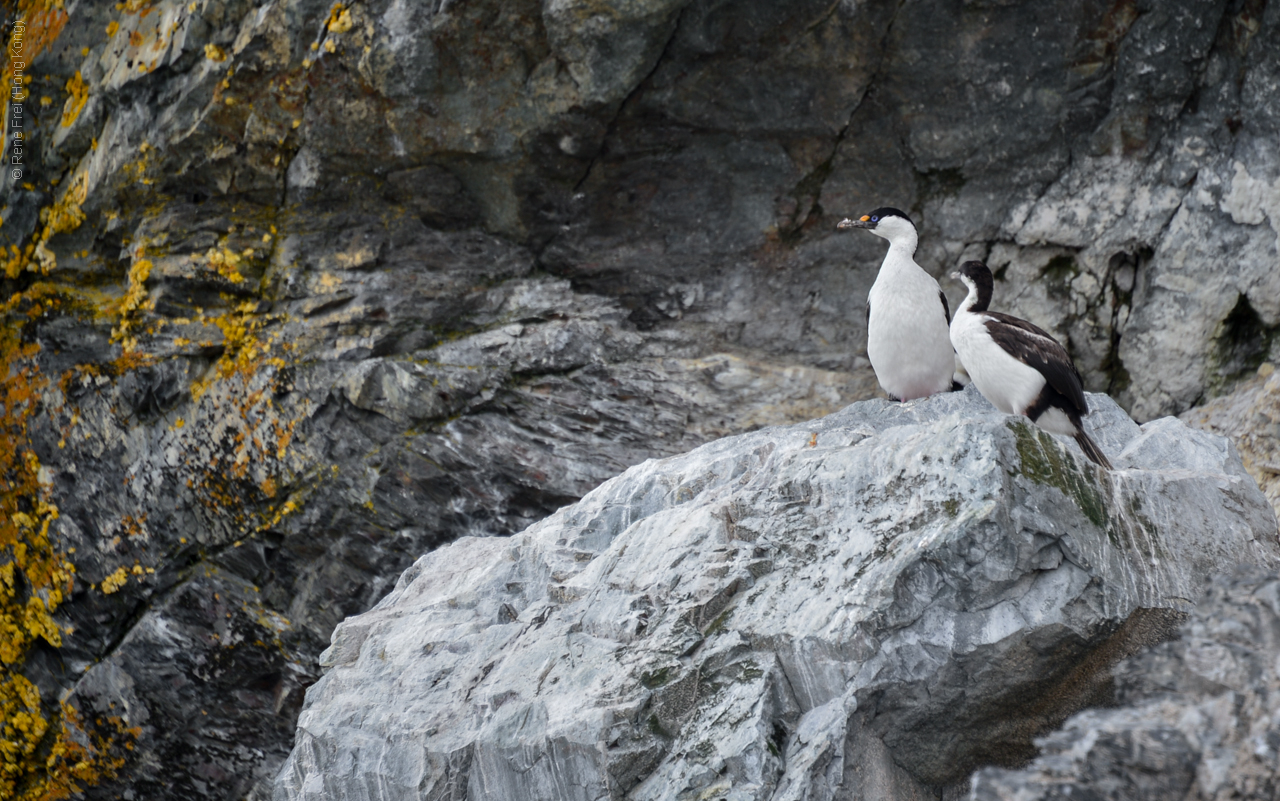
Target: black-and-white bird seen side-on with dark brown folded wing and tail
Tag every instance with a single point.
(1017, 367)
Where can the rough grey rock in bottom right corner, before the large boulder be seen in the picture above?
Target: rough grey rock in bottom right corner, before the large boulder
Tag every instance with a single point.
(1199, 718)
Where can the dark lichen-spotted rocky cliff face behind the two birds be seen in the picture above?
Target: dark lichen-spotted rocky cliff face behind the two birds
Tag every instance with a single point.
(299, 291)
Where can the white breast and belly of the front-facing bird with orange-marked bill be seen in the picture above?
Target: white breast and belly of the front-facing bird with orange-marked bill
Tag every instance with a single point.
(907, 336)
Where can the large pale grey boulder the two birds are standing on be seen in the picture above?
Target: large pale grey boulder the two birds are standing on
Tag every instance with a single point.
(866, 606)
